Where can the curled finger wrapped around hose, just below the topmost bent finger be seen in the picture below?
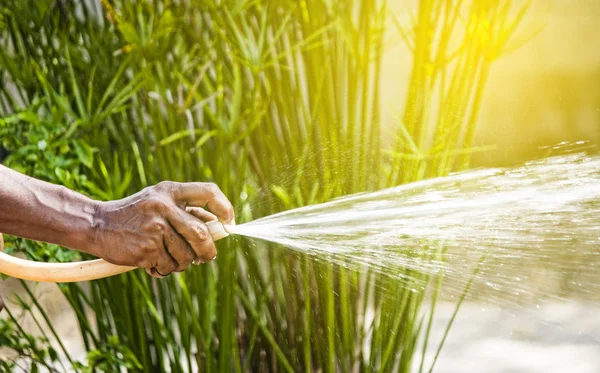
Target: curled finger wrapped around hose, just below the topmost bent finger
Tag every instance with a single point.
(195, 232)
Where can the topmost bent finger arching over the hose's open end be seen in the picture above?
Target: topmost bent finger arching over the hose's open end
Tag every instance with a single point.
(205, 194)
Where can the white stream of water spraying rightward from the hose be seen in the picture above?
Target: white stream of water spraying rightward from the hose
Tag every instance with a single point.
(518, 234)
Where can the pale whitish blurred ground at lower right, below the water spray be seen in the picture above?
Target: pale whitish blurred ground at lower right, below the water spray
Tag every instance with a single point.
(558, 337)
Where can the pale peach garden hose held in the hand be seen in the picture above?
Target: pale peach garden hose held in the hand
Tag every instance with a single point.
(75, 271)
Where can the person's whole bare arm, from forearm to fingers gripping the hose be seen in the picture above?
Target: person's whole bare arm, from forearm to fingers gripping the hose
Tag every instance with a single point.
(150, 229)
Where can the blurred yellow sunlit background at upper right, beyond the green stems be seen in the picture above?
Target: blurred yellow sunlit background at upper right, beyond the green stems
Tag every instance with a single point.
(541, 94)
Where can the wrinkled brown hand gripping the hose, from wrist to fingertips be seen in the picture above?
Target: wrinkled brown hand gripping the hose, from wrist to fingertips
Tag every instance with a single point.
(161, 228)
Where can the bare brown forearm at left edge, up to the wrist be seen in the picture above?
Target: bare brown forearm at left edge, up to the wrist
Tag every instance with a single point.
(41, 211)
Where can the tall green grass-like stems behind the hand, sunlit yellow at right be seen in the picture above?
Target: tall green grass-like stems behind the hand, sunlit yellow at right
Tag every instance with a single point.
(279, 103)
